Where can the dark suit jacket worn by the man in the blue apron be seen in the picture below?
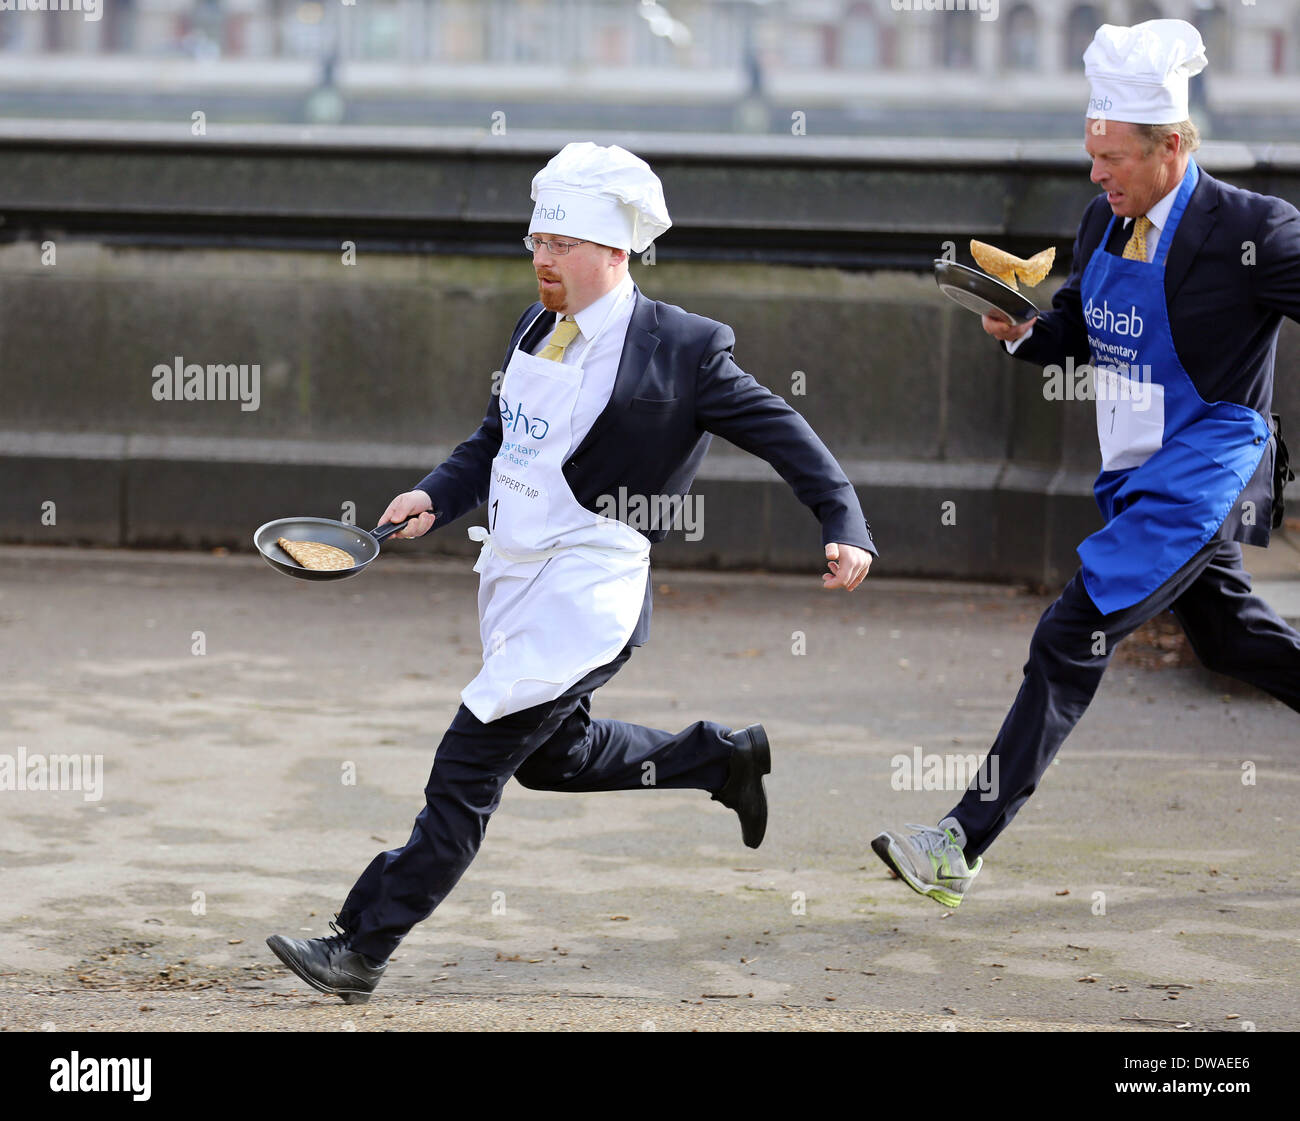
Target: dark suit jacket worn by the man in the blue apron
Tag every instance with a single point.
(1232, 274)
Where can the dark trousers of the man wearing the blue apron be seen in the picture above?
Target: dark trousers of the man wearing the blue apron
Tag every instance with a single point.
(1230, 630)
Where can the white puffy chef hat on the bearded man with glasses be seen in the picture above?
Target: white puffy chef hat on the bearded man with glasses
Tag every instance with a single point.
(600, 194)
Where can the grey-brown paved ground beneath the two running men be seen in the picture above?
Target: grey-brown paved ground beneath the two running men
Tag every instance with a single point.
(1146, 886)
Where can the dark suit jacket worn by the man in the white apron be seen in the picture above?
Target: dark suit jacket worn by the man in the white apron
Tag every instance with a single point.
(677, 384)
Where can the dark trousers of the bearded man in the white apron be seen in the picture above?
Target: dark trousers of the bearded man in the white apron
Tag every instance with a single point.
(552, 747)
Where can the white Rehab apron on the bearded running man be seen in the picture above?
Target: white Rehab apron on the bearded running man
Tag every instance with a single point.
(560, 588)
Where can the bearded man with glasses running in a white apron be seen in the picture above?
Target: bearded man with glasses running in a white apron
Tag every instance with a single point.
(606, 393)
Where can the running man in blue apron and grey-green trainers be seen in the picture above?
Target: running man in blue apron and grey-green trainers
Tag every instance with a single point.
(1176, 298)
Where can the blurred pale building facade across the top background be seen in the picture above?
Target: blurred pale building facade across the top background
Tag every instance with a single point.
(859, 58)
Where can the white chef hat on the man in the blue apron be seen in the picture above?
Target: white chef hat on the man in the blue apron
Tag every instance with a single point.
(1139, 73)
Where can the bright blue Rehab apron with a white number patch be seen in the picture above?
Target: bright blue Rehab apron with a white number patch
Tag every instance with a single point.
(1173, 465)
